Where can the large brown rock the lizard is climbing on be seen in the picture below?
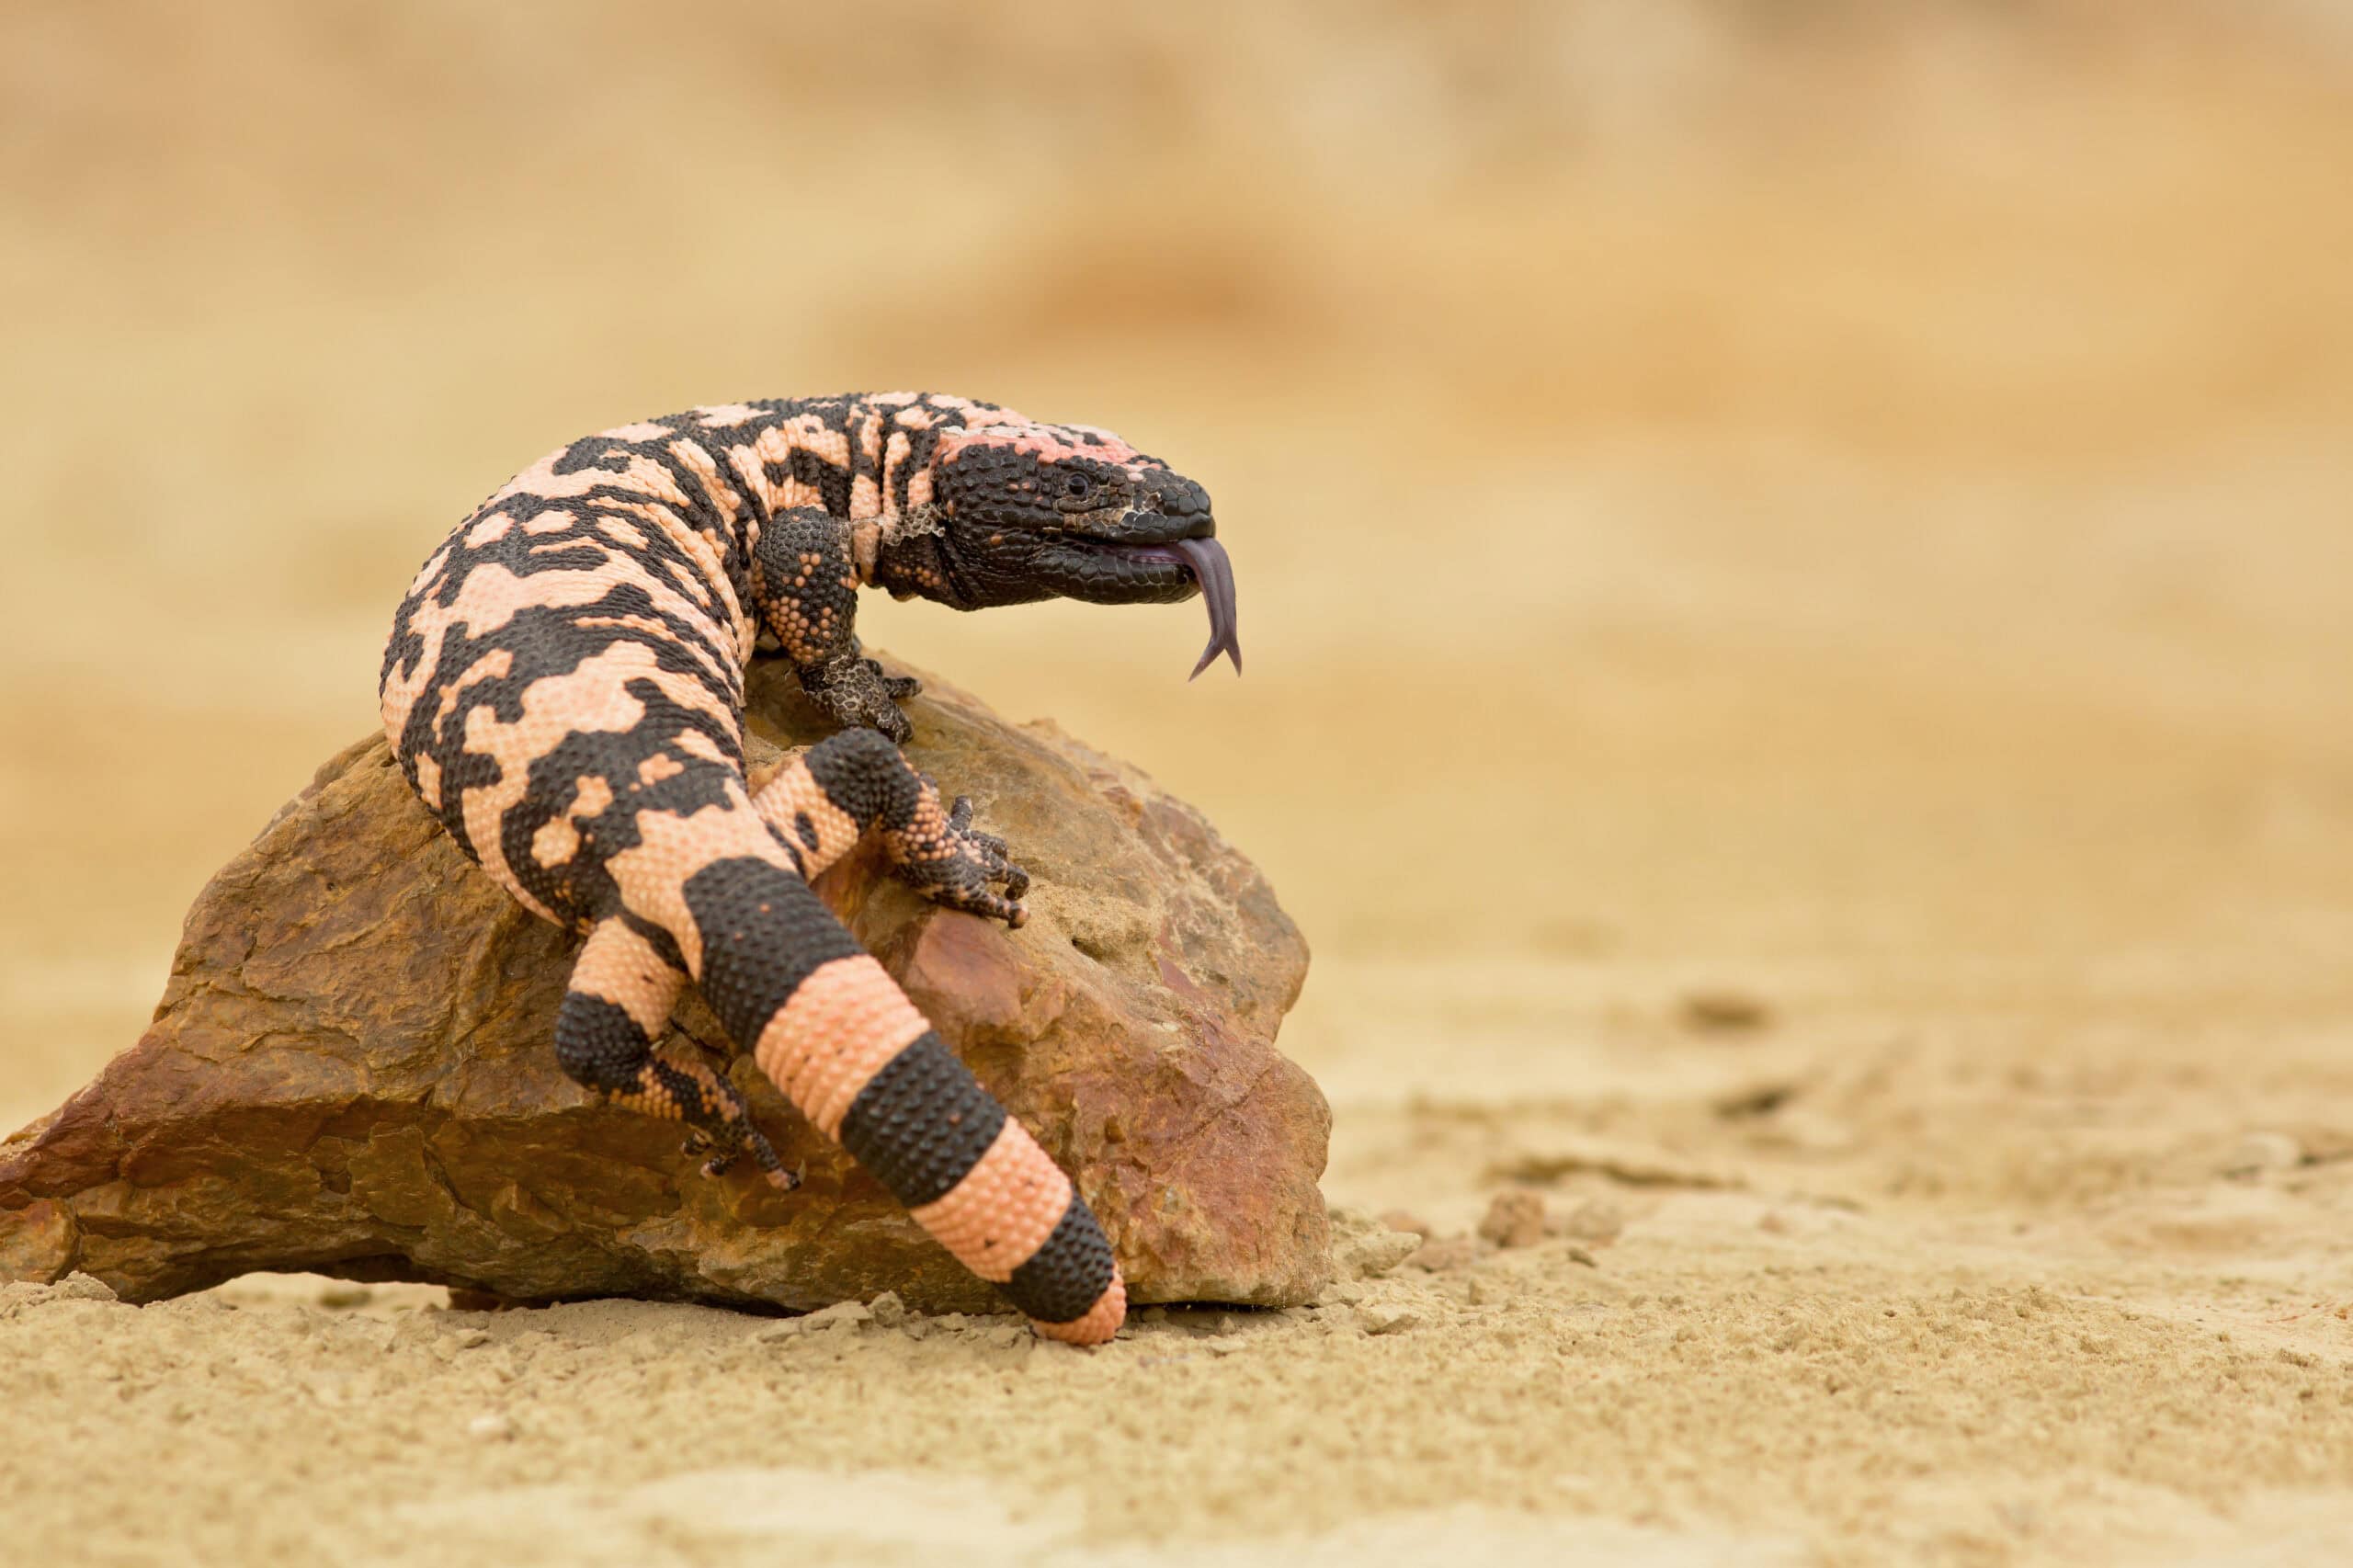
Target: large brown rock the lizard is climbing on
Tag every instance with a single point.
(352, 1065)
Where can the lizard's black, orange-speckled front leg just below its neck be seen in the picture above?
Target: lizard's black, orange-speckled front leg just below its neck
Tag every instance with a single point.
(806, 587)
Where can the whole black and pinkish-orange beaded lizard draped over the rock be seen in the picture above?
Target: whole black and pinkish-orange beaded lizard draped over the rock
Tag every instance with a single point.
(564, 689)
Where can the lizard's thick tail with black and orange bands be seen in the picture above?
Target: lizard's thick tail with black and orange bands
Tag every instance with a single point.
(853, 1054)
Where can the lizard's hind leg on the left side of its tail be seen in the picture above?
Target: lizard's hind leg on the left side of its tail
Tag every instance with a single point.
(618, 1004)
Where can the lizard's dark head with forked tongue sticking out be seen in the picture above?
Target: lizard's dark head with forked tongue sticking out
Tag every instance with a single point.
(1032, 512)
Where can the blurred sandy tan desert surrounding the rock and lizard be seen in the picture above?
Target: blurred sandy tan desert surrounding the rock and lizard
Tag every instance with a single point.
(1797, 576)
